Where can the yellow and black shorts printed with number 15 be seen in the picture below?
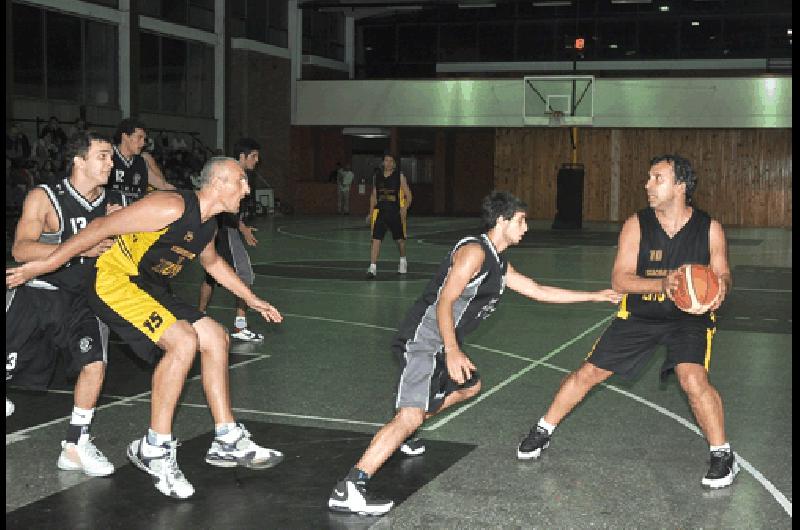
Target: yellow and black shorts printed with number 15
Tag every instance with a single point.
(138, 312)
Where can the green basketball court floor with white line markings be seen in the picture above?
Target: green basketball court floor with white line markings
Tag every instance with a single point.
(630, 456)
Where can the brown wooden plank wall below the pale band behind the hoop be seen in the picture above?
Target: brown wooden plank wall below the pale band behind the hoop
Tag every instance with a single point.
(745, 175)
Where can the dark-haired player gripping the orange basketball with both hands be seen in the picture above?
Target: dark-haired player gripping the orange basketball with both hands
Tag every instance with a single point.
(653, 243)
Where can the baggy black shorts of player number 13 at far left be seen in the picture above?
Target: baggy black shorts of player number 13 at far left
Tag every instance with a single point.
(43, 323)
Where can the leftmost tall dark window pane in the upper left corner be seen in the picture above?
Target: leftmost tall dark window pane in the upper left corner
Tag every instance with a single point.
(28, 52)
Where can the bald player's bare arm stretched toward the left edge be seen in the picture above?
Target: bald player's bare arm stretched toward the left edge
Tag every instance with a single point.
(152, 213)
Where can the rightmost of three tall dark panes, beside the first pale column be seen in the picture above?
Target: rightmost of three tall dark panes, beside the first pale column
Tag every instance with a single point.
(101, 63)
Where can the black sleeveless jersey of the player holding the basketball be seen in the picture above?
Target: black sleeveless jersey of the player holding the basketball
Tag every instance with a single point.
(659, 254)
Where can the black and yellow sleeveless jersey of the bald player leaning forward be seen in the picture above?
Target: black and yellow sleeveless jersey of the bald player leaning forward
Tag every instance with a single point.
(156, 257)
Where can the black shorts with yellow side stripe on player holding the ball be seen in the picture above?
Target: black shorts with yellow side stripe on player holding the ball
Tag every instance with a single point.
(627, 344)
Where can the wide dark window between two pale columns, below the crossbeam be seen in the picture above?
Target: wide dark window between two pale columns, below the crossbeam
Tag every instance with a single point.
(176, 76)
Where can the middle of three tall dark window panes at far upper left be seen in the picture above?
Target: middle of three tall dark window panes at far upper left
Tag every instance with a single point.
(63, 56)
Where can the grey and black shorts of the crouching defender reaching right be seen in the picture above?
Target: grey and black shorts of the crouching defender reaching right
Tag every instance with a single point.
(425, 381)
